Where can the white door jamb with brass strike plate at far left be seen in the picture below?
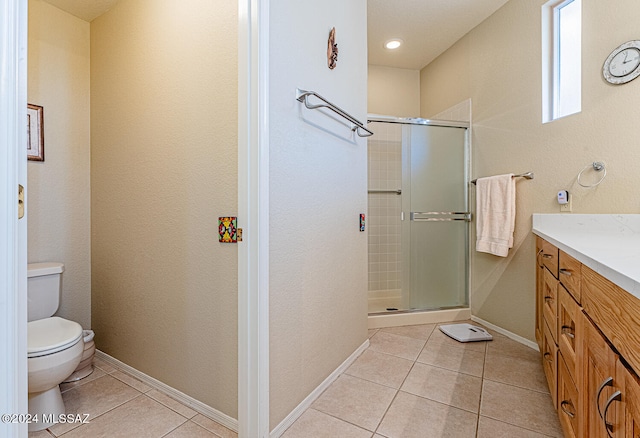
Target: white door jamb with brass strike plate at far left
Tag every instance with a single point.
(13, 238)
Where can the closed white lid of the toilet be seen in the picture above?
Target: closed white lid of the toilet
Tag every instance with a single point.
(50, 335)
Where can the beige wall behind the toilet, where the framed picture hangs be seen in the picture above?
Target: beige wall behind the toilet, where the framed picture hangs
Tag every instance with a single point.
(58, 192)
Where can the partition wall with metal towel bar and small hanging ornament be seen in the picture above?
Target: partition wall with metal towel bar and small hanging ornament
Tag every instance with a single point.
(317, 189)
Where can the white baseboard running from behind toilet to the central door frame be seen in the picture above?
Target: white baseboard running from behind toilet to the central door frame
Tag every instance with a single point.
(196, 405)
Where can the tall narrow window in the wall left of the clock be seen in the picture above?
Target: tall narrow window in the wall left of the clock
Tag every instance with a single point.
(561, 59)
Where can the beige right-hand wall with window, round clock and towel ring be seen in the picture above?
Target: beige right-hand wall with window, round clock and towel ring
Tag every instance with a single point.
(498, 66)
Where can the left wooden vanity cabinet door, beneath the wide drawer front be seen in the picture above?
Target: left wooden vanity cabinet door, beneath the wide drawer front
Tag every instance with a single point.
(600, 383)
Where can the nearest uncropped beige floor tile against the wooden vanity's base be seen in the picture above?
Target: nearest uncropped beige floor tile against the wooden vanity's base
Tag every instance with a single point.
(521, 407)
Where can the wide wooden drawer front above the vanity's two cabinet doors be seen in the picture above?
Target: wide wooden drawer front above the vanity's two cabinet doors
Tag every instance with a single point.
(615, 312)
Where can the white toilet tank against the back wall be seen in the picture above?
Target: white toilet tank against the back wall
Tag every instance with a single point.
(44, 281)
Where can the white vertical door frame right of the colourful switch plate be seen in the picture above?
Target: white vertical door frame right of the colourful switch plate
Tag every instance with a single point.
(253, 212)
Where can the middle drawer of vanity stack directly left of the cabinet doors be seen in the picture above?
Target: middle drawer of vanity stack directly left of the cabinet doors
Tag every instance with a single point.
(569, 331)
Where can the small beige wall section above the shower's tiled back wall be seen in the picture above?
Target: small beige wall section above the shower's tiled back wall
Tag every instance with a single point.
(393, 91)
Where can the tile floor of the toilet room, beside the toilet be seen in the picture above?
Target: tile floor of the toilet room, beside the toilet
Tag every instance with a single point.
(121, 406)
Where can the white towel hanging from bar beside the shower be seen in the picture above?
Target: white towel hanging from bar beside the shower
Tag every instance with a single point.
(495, 214)
